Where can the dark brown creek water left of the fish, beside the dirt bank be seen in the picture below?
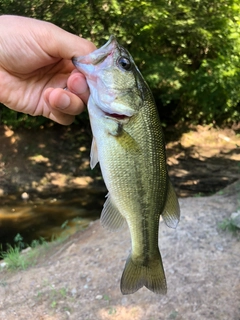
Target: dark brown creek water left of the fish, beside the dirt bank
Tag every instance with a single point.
(48, 217)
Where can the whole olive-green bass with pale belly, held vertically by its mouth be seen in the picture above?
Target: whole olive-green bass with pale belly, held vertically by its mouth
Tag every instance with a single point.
(128, 143)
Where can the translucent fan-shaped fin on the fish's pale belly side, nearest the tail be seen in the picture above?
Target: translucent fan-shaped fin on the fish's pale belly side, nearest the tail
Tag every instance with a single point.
(111, 218)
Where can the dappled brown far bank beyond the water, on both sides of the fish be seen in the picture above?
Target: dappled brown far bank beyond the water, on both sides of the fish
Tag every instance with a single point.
(52, 161)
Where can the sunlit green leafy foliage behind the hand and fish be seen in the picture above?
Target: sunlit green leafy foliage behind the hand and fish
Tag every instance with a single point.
(187, 50)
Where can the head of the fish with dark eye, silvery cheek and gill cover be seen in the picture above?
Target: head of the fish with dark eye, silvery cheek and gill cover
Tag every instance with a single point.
(114, 80)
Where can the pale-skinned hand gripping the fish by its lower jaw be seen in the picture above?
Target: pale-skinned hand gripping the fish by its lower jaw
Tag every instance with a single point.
(36, 66)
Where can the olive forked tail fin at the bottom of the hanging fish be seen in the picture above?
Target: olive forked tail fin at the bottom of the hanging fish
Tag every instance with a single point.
(135, 276)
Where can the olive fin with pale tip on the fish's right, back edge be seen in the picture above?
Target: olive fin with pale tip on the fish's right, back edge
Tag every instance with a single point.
(171, 212)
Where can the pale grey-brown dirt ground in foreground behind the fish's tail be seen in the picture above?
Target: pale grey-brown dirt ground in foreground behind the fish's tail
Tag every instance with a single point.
(79, 279)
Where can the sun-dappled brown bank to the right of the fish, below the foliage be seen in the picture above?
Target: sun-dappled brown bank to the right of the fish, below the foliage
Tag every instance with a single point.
(204, 160)
